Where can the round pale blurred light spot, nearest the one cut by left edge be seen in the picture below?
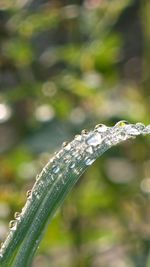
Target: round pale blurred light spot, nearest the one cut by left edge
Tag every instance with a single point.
(44, 113)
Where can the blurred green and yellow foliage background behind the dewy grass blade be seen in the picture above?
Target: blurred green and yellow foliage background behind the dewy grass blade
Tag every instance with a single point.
(64, 66)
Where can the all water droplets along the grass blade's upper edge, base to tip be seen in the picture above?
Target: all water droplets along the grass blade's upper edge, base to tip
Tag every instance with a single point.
(85, 148)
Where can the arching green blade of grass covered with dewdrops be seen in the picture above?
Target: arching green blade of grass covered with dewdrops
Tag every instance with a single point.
(54, 183)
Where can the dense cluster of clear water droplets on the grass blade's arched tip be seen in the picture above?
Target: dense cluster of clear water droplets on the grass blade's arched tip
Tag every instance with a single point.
(88, 144)
